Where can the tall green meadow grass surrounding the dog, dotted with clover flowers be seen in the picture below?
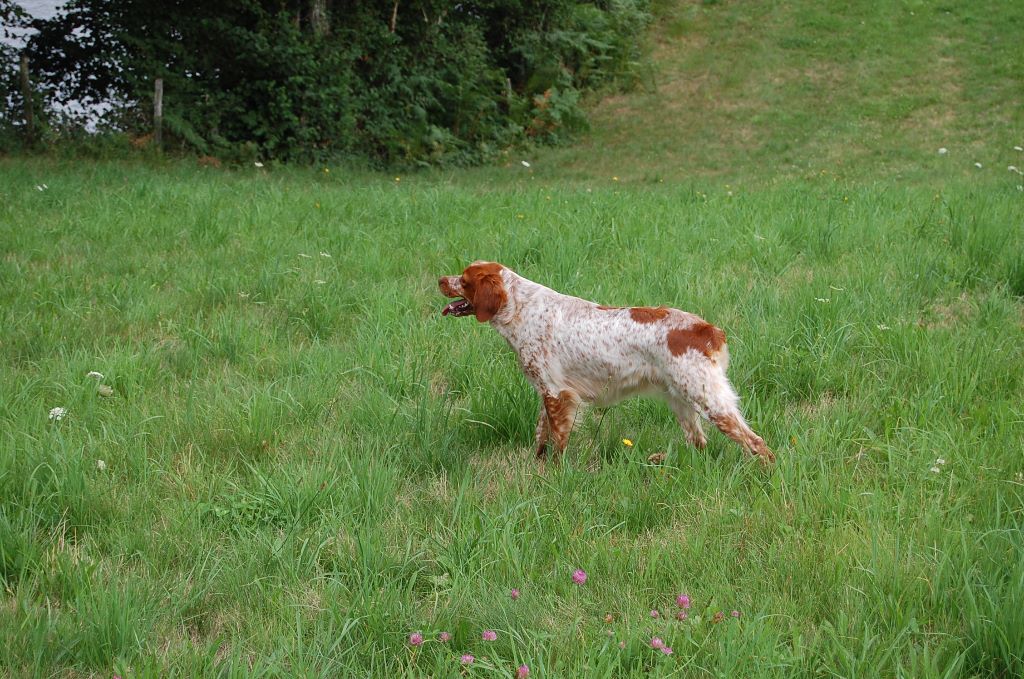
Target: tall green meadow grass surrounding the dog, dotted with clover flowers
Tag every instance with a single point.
(292, 462)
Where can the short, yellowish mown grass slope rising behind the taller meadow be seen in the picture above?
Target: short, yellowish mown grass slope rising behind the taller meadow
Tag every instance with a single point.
(753, 93)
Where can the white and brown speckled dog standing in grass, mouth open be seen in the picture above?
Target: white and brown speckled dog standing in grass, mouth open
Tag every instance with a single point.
(573, 351)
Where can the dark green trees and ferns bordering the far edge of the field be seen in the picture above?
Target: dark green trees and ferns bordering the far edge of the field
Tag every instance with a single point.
(396, 81)
